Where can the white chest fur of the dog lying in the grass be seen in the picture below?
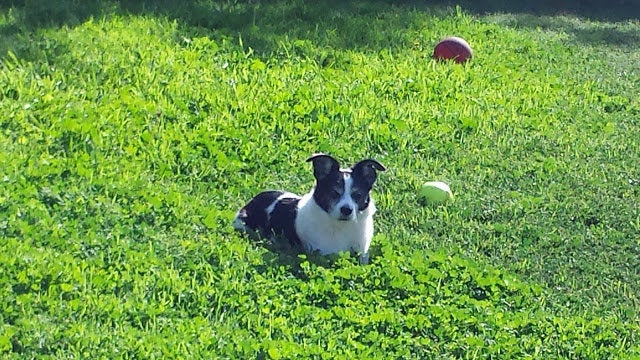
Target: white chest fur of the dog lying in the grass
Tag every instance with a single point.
(319, 231)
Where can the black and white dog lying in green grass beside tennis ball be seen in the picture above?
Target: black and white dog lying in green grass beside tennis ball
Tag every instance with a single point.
(337, 215)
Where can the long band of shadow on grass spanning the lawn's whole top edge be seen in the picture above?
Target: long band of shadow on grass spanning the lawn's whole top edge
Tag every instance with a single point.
(374, 24)
